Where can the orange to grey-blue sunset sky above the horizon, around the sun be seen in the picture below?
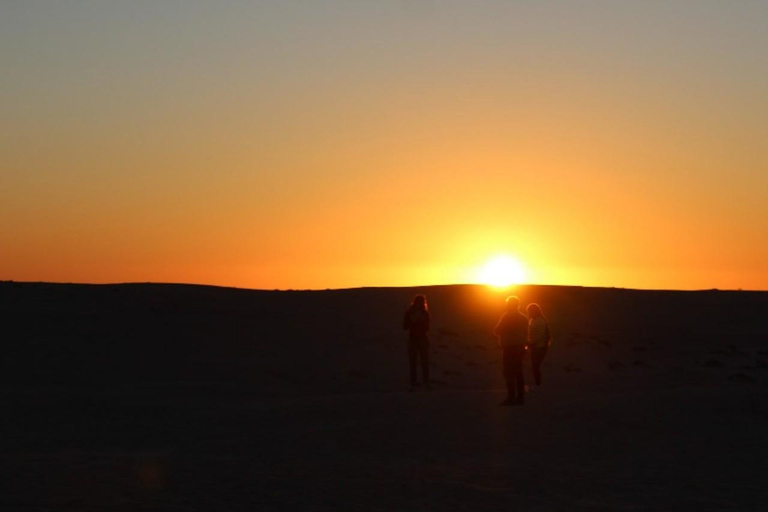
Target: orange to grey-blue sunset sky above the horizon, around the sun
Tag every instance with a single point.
(335, 144)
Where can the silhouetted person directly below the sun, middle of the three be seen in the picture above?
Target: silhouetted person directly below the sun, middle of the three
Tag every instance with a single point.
(512, 331)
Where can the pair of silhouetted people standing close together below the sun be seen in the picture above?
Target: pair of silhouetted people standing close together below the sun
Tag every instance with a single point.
(517, 333)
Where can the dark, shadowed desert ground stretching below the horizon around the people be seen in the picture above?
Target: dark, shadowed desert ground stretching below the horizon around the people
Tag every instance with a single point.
(180, 397)
